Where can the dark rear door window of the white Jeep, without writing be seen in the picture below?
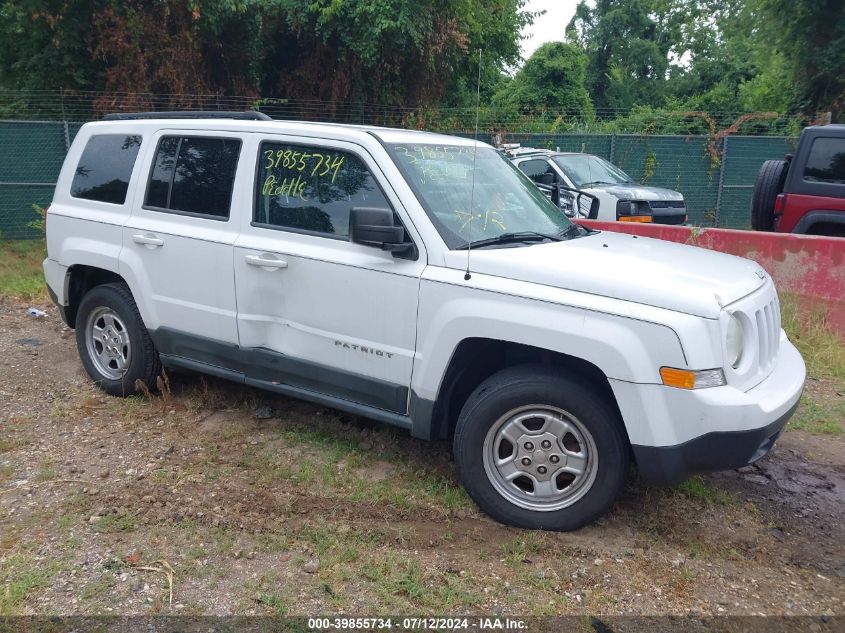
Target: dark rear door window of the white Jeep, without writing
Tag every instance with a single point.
(194, 174)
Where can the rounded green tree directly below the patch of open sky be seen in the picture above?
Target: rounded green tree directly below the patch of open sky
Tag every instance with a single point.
(552, 80)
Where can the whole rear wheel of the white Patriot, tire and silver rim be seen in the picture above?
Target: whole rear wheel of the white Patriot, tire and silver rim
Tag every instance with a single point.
(113, 343)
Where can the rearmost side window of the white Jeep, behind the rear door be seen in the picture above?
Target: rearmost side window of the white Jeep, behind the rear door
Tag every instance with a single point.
(105, 167)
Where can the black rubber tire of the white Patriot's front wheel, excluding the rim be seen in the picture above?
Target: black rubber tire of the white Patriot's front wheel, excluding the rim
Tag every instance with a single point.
(512, 389)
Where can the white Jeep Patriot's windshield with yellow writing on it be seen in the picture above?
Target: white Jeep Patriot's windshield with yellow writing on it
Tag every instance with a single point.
(502, 200)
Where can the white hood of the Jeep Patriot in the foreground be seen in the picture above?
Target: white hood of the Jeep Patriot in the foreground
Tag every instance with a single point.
(653, 272)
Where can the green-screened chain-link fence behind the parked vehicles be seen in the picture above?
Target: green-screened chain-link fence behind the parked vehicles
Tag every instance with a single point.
(715, 176)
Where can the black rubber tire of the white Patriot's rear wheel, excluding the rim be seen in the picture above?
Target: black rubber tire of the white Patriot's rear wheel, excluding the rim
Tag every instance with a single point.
(142, 358)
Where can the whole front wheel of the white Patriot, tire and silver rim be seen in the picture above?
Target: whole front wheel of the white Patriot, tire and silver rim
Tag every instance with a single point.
(539, 450)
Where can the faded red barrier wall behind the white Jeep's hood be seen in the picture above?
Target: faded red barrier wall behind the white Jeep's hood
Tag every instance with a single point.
(809, 266)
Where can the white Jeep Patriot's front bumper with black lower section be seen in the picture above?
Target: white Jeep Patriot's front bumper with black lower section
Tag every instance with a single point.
(721, 428)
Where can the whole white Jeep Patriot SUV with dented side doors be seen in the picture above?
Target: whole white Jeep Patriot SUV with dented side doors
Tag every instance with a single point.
(423, 281)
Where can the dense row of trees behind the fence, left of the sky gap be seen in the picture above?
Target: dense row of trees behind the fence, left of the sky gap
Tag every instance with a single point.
(392, 52)
